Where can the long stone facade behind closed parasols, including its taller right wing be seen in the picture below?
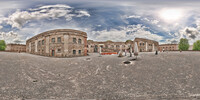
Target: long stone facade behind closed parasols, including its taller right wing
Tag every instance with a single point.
(144, 45)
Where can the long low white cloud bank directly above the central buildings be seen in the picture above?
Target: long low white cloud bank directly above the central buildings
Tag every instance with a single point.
(129, 32)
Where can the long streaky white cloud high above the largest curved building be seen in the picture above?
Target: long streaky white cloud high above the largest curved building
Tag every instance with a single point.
(19, 18)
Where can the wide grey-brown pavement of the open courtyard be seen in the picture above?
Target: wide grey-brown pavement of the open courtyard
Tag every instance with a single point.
(167, 76)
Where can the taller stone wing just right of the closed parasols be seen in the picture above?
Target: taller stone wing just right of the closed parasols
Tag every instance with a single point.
(146, 45)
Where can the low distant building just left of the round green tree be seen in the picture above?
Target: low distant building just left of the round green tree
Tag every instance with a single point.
(168, 47)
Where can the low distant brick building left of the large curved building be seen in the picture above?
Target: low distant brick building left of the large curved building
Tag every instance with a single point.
(16, 48)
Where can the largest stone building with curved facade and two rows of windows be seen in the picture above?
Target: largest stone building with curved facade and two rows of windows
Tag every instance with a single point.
(58, 43)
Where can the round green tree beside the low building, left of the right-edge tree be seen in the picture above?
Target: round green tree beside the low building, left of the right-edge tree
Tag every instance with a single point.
(183, 44)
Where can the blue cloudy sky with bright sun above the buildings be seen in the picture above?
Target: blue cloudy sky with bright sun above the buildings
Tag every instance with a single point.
(165, 21)
